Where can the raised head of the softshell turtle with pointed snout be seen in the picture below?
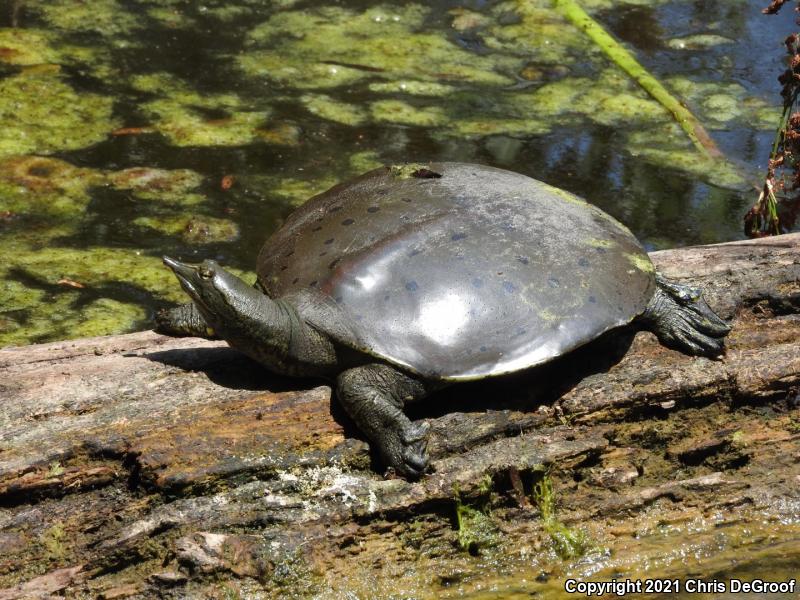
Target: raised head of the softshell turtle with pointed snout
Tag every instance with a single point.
(219, 295)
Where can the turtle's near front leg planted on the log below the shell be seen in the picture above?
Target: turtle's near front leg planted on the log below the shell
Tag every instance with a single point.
(374, 396)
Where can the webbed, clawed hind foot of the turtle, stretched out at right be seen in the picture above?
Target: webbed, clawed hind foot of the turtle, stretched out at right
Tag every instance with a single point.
(682, 320)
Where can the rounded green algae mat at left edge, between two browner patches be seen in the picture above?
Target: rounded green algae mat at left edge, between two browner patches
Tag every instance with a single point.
(39, 113)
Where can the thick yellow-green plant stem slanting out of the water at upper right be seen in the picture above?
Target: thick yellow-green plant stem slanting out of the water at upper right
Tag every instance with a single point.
(573, 12)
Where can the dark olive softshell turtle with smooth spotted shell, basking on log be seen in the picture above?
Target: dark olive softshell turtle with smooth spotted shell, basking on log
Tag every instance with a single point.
(411, 277)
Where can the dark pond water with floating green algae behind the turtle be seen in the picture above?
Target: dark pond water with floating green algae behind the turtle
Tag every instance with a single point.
(134, 128)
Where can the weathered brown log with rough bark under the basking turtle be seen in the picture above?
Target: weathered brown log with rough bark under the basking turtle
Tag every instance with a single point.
(140, 465)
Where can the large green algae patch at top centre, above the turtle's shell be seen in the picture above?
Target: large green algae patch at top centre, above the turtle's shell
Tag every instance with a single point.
(314, 49)
